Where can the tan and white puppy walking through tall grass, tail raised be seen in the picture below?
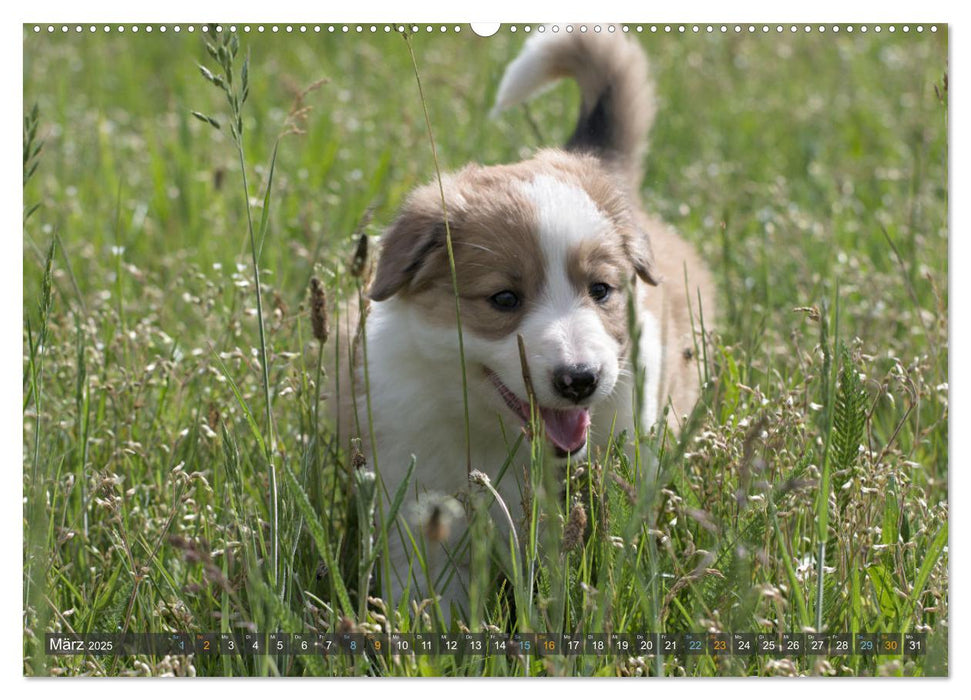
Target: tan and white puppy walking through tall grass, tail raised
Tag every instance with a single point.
(552, 249)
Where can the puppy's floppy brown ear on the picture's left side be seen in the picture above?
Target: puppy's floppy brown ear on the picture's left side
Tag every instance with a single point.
(406, 246)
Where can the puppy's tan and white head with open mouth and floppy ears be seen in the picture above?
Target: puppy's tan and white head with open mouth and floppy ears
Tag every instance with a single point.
(546, 249)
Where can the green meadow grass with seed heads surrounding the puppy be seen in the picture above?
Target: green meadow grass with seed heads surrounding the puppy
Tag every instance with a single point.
(810, 169)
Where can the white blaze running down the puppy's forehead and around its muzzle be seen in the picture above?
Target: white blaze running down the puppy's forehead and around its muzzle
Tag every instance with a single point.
(562, 328)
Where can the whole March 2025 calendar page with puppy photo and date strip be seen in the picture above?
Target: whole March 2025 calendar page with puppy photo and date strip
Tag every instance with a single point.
(420, 349)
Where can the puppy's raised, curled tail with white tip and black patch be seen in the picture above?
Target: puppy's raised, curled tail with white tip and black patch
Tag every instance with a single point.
(617, 96)
